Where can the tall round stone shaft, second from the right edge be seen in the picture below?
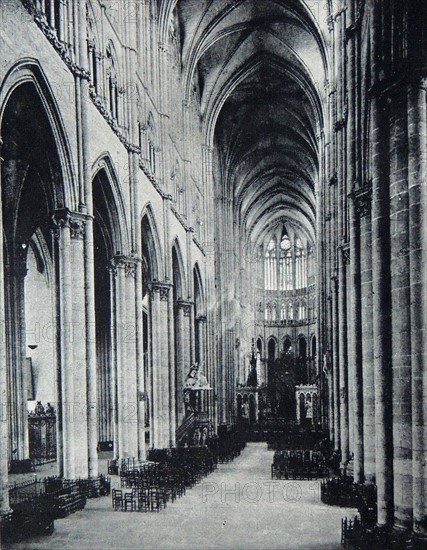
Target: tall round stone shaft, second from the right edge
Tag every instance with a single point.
(401, 320)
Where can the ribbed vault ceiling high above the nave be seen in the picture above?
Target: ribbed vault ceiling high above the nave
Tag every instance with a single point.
(261, 70)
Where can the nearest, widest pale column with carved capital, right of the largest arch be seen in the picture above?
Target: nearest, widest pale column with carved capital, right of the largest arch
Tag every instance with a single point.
(69, 232)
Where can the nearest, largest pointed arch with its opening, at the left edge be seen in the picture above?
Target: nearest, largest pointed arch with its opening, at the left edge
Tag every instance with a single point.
(36, 183)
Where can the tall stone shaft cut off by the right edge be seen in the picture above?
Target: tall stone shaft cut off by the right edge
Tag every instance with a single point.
(417, 177)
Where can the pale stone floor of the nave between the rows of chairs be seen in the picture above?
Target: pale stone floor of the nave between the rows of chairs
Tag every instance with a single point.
(236, 507)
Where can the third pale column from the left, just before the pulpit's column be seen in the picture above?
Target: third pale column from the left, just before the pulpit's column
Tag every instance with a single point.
(160, 360)
